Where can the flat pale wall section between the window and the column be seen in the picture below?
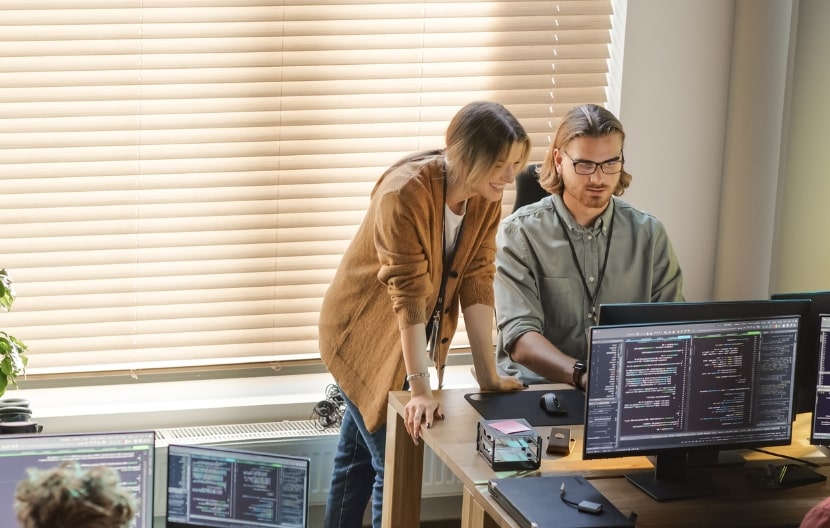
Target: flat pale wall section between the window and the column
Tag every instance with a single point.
(673, 108)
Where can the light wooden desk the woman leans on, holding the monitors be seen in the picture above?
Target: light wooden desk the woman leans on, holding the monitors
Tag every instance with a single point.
(453, 441)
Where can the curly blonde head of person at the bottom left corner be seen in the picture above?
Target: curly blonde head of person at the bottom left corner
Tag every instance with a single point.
(69, 496)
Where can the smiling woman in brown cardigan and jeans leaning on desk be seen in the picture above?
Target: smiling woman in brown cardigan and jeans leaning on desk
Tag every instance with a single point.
(425, 248)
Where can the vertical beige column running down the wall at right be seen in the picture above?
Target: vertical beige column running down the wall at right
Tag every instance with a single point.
(755, 146)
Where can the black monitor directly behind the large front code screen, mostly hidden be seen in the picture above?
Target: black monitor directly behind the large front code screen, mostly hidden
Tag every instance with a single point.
(664, 312)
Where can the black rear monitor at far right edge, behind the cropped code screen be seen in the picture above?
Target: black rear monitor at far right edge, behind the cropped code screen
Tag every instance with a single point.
(806, 367)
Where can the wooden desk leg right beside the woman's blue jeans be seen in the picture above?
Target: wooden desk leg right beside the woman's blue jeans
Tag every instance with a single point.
(403, 476)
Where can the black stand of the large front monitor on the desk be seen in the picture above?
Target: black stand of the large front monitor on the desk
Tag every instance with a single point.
(669, 480)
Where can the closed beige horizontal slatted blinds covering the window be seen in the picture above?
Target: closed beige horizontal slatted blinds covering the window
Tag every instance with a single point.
(180, 178)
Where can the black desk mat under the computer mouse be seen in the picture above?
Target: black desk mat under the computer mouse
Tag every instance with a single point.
(525, 404)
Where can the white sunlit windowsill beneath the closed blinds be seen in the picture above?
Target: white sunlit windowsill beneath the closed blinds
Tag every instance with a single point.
(185, 403)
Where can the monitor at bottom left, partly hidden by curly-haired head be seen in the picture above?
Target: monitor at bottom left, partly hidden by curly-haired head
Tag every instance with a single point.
(131, 453)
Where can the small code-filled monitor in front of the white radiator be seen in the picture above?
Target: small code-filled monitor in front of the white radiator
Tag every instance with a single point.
(211, 486)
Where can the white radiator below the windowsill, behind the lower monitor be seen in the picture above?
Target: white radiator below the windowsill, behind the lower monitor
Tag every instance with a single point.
(298, 438)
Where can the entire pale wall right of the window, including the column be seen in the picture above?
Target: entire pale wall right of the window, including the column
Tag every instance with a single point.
(714, 147)
